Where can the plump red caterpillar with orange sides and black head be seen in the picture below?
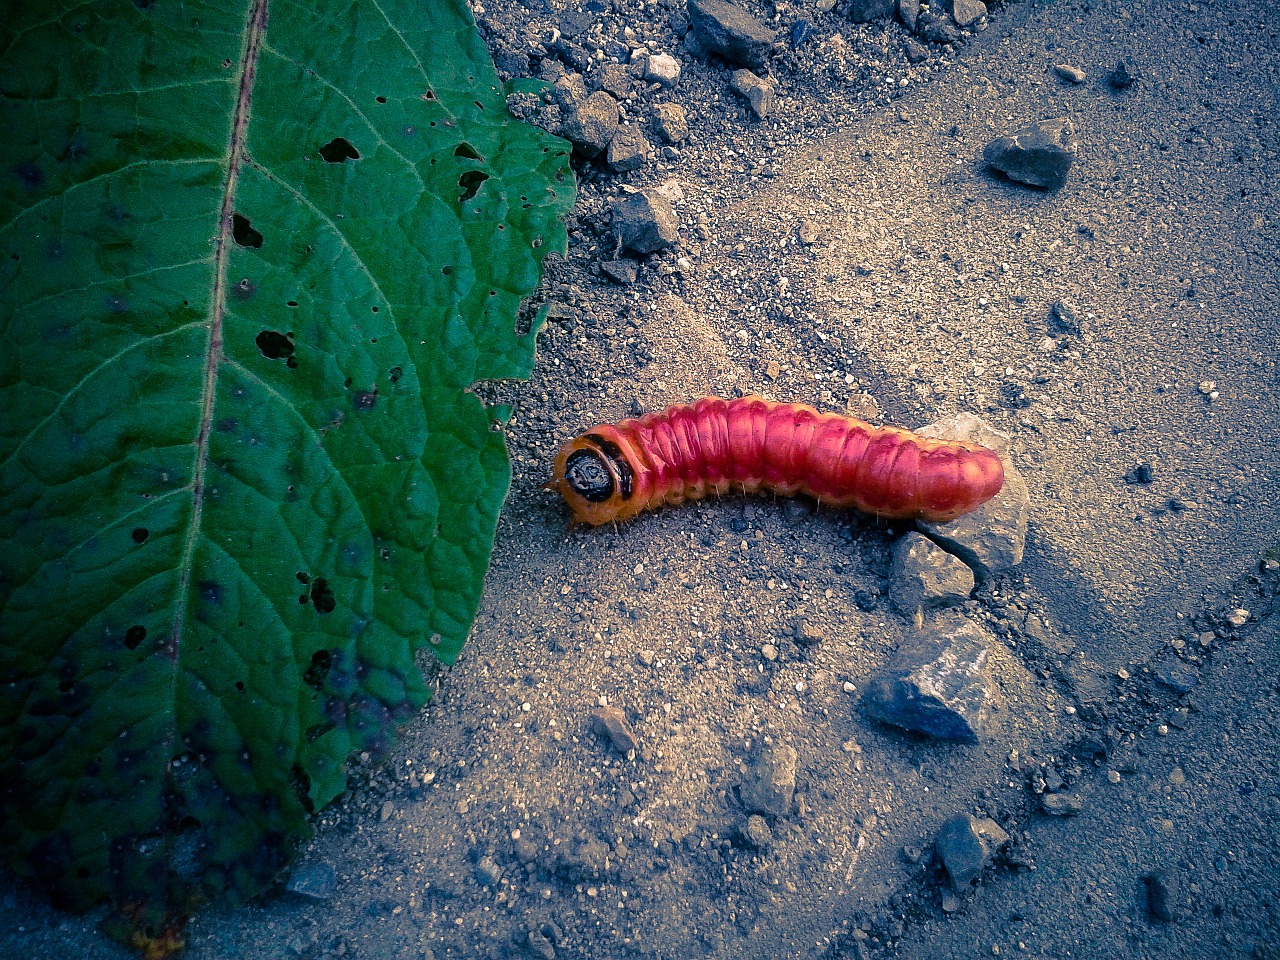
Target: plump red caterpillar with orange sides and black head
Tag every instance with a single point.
(615, 472)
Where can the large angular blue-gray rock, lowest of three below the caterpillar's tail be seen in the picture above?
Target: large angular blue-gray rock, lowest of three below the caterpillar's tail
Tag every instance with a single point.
(938, 685)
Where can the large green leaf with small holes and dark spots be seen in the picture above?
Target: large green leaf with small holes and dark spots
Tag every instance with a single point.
(254, 255)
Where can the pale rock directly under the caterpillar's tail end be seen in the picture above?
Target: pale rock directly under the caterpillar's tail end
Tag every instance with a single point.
(994, 537)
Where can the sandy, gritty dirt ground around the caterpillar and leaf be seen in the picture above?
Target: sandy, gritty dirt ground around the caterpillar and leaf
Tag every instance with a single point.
(852, 252)
